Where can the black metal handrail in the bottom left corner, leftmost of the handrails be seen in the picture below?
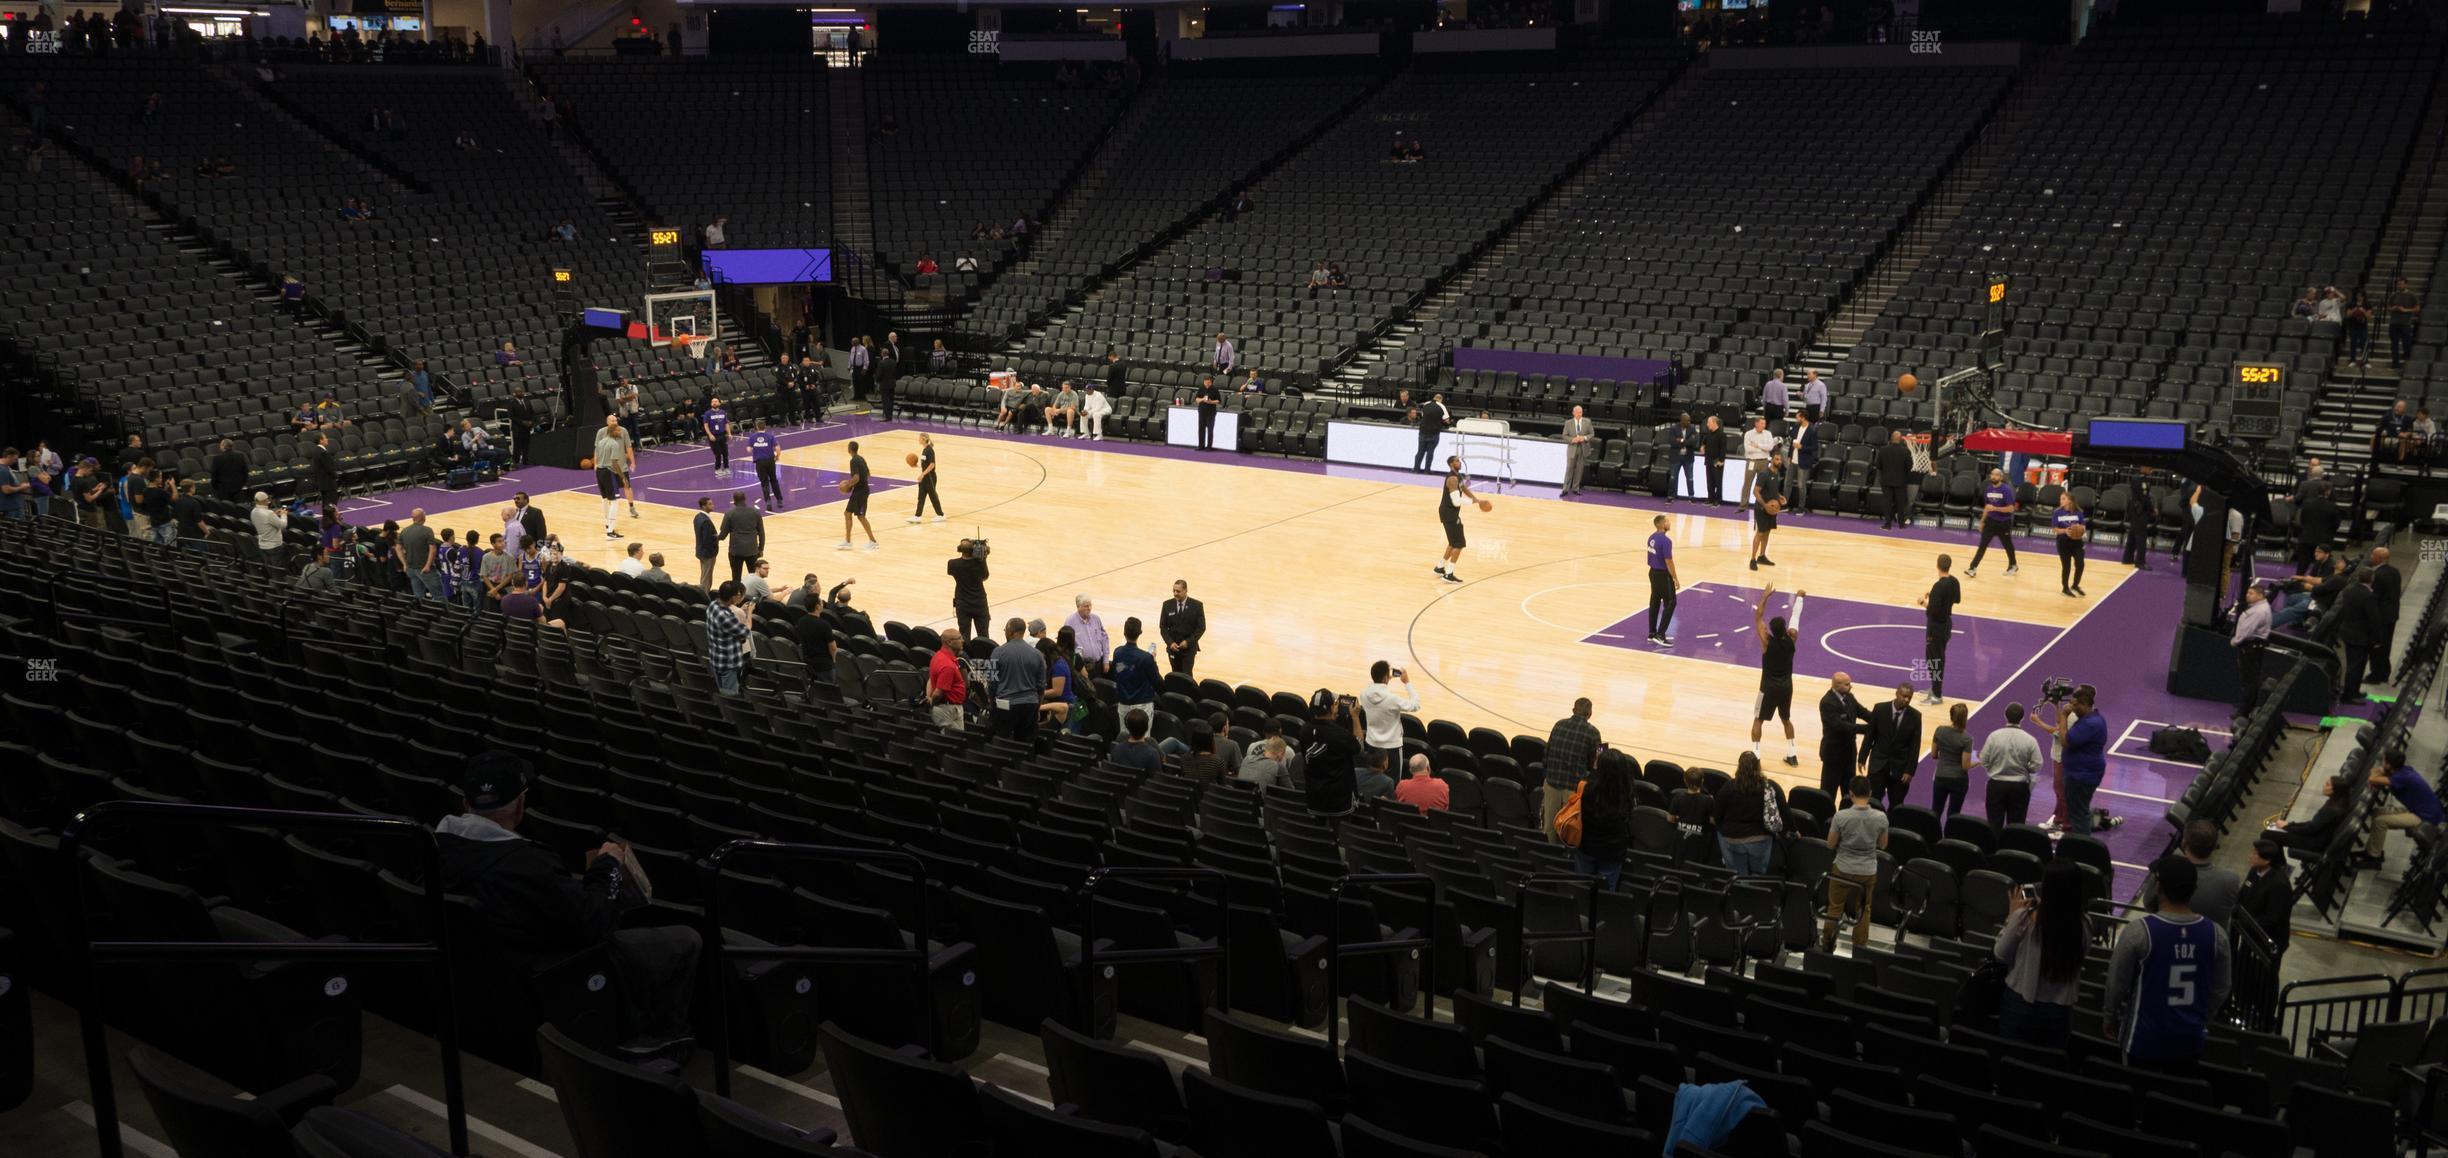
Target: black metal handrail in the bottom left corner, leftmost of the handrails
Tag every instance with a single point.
(84, 954)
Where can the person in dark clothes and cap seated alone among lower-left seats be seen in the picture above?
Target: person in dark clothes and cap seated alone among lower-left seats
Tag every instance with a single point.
(540, 912)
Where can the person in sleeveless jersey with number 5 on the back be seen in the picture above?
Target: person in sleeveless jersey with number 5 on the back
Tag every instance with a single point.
(2165, 981)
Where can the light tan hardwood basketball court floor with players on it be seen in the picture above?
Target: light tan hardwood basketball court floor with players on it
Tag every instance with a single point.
(1313, 574)
